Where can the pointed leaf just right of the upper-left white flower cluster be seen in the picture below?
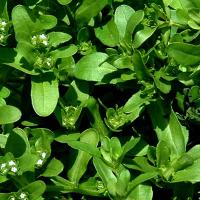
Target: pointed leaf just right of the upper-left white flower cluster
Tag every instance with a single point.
(57, 38)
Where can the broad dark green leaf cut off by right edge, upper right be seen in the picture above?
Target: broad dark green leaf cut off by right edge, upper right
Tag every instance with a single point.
(184, 54)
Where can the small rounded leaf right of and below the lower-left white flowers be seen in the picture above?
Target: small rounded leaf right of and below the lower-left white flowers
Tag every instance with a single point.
(54, 168)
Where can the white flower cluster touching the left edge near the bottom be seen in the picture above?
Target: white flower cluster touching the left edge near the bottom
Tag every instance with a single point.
(9, 167)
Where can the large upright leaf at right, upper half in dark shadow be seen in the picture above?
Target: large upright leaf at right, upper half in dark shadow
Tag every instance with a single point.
(168, 129)
